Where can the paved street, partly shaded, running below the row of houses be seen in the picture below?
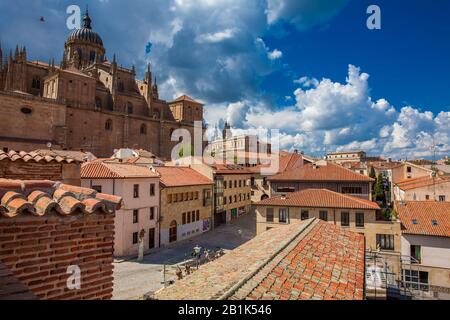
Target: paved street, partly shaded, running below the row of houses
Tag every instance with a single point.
(133, 279)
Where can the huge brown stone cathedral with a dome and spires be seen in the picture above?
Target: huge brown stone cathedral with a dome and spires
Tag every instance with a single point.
(86, 103)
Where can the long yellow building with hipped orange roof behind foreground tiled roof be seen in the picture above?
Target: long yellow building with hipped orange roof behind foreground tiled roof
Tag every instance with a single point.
(352, 213)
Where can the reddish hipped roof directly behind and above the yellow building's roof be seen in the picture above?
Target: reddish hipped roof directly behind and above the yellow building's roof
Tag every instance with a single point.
(328, 172)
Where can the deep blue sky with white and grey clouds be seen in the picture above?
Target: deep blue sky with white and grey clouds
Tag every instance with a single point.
(310, 68)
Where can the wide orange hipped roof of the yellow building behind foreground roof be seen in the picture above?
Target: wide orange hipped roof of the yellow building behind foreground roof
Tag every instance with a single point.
(319, 198)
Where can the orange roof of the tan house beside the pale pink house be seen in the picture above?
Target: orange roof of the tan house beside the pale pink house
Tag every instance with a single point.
(181, 176)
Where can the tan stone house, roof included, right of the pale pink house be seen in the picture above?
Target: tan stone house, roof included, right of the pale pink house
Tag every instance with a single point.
(186, 203)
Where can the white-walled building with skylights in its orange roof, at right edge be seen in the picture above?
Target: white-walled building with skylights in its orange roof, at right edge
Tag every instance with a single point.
(426, 247)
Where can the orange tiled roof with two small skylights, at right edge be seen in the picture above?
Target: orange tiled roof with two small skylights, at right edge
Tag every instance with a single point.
(424, 217)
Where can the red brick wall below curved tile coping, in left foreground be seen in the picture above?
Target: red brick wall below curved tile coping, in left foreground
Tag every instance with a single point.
(38, 250)
